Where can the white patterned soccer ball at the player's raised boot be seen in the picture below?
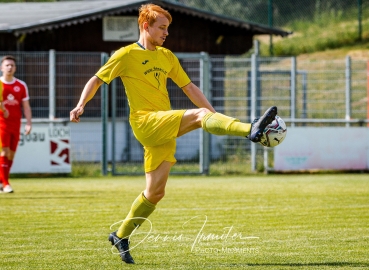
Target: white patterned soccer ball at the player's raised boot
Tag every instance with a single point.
(274, 133)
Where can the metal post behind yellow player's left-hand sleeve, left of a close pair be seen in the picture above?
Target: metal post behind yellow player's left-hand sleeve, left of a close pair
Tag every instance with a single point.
(104, 118)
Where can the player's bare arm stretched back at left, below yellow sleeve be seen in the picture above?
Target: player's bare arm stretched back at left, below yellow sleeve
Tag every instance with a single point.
(88, 93)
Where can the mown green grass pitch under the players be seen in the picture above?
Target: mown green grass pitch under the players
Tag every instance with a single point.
(316, 221)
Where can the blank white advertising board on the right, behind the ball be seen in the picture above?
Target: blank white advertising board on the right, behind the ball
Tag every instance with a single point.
(323, 148)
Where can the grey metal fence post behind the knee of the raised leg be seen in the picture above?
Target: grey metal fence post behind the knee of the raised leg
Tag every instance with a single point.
(205, 136)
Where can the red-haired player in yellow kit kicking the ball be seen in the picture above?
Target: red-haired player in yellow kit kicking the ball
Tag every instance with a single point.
(144, 67)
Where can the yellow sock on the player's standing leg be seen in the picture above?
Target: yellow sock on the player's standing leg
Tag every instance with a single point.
(141, 208)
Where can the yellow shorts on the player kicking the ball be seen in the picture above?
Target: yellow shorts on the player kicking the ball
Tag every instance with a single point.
(157, 132)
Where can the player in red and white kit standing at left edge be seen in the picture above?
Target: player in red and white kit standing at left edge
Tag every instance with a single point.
(15, 97)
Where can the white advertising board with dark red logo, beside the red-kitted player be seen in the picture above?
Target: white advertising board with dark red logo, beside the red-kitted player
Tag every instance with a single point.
(45, 150)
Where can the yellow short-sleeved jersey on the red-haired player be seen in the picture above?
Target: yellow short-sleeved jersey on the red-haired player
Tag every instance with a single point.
(144, 74)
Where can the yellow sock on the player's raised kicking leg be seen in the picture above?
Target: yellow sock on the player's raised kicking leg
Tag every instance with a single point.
(220, 124)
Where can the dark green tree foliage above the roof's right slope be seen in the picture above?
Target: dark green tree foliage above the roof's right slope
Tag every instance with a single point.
(283, 11)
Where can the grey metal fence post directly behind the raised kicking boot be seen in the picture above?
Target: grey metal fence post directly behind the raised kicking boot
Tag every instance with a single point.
(254, 71)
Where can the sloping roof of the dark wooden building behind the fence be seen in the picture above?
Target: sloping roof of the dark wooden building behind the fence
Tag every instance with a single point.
(28, 17)
